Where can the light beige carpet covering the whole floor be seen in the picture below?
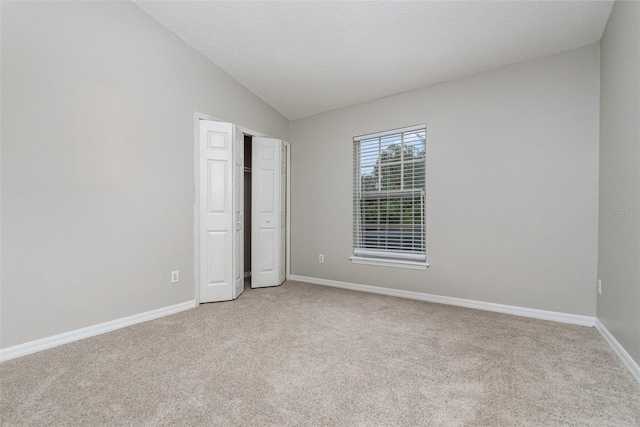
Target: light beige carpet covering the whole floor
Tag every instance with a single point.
(304, 354)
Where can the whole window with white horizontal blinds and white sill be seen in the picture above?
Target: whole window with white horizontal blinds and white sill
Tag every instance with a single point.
(389, 197)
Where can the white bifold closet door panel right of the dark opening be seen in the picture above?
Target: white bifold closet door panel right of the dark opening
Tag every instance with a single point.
(266, 211)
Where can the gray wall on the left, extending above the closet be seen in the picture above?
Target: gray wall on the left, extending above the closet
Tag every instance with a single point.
(97, 162)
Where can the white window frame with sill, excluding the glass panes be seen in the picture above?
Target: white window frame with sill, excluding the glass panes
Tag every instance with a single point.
(386, 257)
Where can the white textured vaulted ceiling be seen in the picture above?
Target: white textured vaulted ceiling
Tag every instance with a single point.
(305, 58)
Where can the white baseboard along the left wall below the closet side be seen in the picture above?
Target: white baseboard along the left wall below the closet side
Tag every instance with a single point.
(90, 331)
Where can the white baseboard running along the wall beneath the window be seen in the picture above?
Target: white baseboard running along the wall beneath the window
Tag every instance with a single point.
(573, 319)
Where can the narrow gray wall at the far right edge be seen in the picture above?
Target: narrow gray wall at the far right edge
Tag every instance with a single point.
(619, 230)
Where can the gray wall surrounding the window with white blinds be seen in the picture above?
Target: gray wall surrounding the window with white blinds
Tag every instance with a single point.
(512, 185)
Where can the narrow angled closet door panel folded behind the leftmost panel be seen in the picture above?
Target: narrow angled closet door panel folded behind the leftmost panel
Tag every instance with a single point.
(238, 207)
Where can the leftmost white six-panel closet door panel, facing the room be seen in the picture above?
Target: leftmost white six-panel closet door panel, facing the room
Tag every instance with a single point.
(216, 211)
